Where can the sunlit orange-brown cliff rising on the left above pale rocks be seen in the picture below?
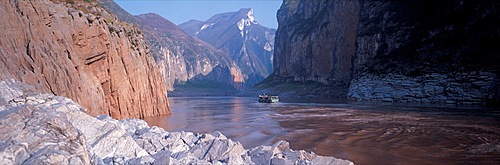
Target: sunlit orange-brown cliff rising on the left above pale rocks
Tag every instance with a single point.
(87, 55)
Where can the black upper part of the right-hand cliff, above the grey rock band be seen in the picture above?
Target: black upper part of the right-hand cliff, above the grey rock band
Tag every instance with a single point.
(418, 37)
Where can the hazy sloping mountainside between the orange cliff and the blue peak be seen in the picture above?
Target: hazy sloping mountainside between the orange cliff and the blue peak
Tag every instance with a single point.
(182, 57)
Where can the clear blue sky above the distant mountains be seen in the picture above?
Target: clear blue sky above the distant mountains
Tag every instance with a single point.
(180, 11)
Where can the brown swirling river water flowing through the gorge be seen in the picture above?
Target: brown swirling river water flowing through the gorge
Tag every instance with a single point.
(365, 133)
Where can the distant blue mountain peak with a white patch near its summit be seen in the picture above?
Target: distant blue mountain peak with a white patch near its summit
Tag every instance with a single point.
(249, 44)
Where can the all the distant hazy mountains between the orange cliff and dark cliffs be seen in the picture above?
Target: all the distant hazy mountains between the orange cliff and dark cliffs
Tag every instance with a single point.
(229, 48)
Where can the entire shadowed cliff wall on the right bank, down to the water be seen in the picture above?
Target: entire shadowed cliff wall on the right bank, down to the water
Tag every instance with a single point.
(409, 51)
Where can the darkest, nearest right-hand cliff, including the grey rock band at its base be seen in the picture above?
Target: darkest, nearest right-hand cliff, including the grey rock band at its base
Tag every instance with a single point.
(428, 51)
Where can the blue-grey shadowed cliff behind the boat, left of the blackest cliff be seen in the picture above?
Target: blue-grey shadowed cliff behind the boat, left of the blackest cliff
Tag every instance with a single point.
(316, 40)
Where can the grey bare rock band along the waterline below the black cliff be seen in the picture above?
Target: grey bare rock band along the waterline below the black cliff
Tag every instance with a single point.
(458, 88)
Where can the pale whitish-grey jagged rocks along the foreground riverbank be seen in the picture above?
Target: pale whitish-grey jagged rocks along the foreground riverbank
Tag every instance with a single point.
(48, 129)
